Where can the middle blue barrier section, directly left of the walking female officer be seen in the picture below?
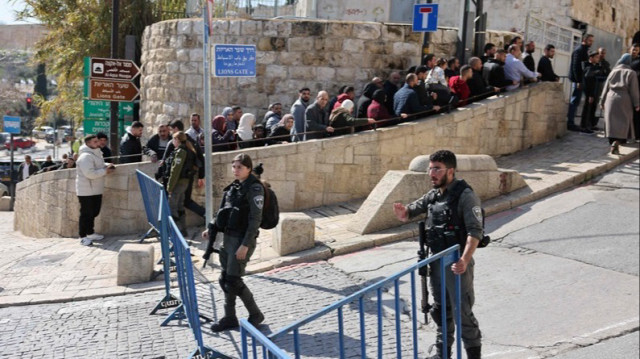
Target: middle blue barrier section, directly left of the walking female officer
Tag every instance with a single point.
(188, 309)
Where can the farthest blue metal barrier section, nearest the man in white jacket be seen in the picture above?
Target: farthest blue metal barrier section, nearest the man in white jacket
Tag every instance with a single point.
(156, 204)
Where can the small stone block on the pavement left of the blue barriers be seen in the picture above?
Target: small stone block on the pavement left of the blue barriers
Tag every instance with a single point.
(135, 263)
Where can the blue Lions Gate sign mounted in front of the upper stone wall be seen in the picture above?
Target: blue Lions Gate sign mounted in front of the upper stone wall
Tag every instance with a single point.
(234, 60)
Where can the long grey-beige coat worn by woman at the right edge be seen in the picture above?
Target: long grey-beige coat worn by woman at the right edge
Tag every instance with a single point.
(620, 96)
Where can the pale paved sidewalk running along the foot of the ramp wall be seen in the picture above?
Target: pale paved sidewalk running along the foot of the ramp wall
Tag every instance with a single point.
(34, 271)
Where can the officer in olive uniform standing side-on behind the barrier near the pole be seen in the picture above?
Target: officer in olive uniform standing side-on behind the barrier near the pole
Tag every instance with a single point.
(183, 169)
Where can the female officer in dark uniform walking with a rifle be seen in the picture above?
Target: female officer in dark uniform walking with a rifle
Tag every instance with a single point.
(239, 218)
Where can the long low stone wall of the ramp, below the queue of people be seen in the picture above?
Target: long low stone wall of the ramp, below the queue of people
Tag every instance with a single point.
(316, 172)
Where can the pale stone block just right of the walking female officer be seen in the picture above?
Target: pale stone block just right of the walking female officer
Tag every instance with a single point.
(294, 233)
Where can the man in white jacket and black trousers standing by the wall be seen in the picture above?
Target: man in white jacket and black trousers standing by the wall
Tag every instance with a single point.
(90, 173)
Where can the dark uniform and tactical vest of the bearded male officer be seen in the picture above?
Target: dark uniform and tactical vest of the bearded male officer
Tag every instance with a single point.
(466, 220)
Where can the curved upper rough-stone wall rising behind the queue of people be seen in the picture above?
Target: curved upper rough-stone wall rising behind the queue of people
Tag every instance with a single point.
(321, 55)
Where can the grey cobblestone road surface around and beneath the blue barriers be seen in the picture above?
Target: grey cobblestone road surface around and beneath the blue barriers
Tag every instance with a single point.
(121, 327)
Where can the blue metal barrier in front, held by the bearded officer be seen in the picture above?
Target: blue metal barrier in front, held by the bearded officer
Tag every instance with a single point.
(446, 257)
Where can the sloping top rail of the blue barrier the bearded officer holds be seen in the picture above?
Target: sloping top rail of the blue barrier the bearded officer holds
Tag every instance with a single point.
(447, 252)
